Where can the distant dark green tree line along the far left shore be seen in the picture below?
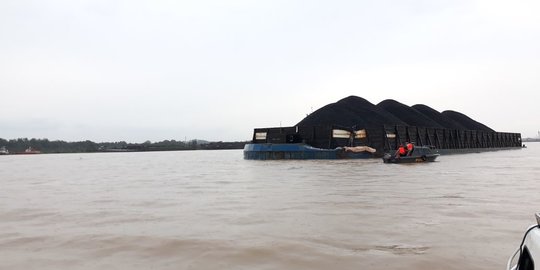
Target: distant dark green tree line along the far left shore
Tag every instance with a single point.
(57, 146)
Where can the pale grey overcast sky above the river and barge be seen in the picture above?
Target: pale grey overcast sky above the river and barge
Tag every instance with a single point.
(154, 70)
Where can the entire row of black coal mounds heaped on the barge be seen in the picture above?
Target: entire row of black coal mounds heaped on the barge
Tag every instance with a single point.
(357, 112)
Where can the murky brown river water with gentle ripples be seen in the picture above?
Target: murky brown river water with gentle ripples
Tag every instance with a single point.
(214, 210)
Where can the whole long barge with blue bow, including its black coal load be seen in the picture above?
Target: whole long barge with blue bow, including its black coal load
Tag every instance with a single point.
(353, 128)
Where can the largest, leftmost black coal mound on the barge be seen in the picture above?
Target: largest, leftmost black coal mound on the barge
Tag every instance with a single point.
(351, 111)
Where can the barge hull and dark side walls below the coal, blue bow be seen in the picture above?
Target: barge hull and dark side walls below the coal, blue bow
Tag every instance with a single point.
(336, 142)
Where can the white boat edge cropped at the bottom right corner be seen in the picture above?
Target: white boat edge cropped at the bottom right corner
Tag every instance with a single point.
(528, 250)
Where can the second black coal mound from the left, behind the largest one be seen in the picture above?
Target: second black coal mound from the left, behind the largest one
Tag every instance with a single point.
(407, 114)
